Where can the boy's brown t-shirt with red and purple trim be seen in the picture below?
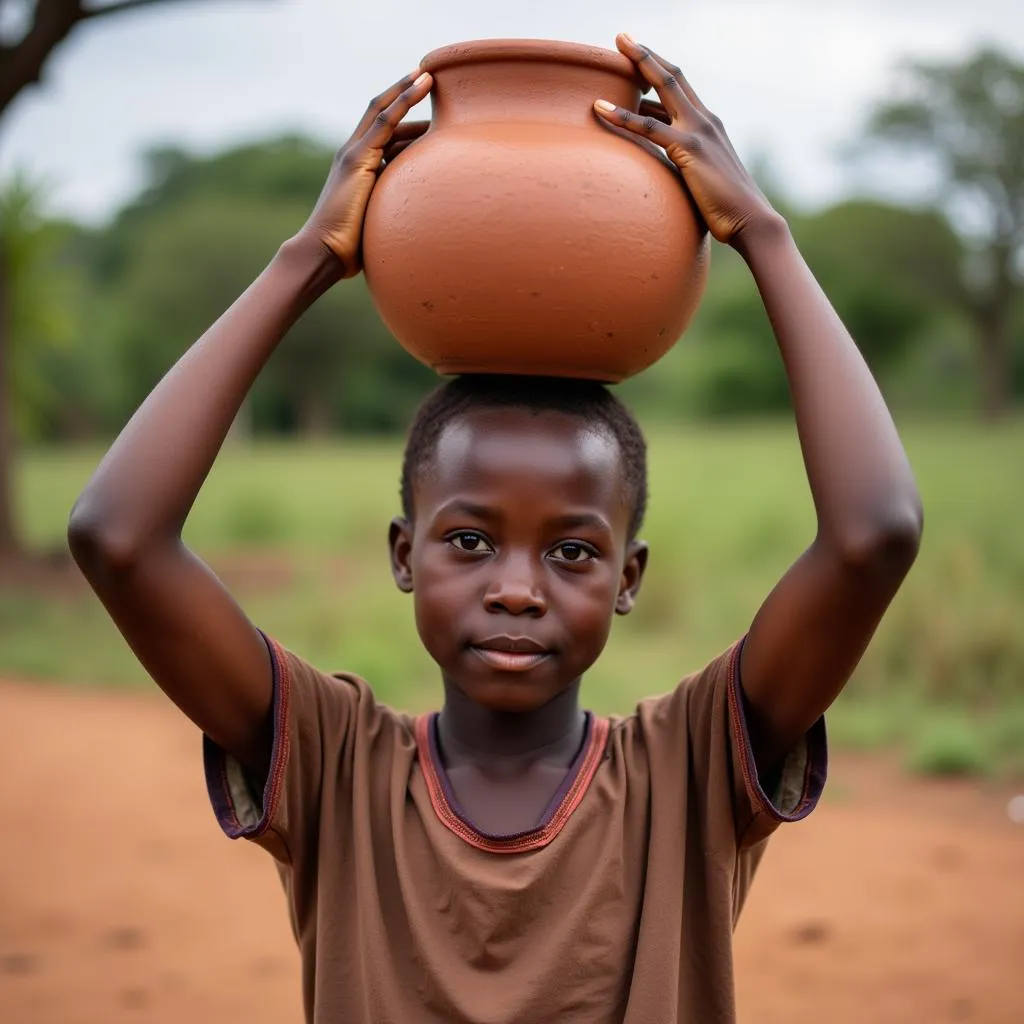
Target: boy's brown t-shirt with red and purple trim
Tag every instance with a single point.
(618, 908)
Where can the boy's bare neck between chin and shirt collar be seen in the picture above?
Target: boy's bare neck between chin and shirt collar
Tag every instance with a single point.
(472, 733)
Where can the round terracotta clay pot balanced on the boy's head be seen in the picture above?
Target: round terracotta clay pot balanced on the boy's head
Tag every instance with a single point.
(521, 235)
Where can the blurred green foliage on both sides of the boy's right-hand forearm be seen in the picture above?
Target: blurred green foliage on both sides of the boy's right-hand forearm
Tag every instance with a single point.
(892, 275)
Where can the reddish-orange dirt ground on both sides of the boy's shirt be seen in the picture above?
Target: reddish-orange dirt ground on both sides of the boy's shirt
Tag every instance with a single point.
(899, 902)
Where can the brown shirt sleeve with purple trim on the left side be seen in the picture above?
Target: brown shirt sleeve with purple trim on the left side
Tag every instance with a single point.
(314, 717)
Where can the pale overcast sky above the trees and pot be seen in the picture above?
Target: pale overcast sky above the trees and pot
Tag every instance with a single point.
(792, 78)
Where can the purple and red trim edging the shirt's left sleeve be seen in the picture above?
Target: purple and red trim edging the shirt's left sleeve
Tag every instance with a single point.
(216, 760)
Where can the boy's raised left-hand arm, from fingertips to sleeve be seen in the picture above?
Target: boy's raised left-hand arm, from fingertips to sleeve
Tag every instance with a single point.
(125, 530)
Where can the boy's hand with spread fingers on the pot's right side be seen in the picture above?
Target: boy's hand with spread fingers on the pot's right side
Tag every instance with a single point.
(696, 142)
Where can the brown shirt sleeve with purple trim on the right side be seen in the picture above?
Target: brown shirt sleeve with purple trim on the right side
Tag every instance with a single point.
(708, 708)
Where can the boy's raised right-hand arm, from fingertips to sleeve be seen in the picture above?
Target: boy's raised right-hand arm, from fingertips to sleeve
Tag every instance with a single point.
(814, 628)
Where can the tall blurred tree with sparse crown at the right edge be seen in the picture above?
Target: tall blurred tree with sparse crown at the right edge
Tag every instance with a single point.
(968, 118)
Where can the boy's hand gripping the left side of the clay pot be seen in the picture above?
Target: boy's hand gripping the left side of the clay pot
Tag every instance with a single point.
(336, 224)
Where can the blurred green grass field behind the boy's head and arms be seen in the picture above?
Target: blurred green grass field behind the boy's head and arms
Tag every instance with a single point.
(944, 681)
